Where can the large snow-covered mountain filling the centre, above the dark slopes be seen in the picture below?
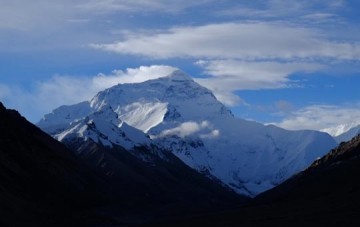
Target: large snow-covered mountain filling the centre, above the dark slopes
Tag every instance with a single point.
(180, 115)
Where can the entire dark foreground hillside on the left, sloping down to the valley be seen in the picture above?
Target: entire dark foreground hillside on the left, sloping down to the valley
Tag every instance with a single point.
(43, 183)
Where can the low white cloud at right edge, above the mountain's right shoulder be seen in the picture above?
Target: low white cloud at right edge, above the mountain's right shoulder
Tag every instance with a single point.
(319, 117)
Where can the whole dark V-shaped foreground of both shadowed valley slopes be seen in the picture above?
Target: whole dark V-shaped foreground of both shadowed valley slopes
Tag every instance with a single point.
(43, 183)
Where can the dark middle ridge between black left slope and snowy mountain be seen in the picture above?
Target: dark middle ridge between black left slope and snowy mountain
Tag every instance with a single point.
(158, 187)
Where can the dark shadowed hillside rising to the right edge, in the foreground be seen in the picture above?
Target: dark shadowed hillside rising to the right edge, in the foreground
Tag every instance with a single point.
(326, 194)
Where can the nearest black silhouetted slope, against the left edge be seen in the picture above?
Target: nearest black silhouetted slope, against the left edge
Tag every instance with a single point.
(41, 182)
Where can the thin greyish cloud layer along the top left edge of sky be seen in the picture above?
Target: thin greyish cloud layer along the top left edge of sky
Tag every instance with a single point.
(28, 15)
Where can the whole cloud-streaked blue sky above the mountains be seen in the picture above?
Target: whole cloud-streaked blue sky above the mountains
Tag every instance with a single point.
(294, 63)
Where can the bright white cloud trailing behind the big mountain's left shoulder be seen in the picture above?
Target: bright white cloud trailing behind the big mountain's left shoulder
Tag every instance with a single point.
(61, 90)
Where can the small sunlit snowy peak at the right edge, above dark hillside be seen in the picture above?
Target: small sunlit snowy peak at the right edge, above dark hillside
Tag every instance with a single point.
(344, 132)
